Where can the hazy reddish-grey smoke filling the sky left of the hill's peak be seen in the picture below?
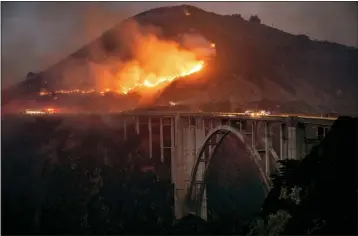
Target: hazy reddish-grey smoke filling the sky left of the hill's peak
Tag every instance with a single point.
(36, 35)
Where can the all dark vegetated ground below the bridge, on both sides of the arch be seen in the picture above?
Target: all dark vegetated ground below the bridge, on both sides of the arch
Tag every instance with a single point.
(66, 178)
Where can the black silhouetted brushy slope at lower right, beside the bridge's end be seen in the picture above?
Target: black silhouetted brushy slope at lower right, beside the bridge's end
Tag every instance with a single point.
(317, 195)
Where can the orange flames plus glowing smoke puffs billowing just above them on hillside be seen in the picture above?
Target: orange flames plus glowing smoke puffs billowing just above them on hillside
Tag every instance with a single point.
(154, 63)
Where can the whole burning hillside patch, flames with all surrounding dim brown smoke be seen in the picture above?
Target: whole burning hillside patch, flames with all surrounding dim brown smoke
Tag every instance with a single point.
(145, 63)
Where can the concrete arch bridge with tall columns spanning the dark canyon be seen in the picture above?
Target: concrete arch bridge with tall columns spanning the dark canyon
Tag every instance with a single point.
(189, 141)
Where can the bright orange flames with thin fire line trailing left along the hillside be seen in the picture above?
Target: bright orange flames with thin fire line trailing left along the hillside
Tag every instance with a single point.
(155, 64)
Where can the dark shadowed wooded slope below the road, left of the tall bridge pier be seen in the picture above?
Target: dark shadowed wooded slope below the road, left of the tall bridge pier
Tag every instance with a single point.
(68, 176)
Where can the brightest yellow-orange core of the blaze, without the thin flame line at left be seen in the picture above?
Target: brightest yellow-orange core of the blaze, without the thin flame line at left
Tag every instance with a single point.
(157, 63)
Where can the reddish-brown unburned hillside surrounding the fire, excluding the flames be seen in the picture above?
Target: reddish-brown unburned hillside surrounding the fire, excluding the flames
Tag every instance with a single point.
(255, 64)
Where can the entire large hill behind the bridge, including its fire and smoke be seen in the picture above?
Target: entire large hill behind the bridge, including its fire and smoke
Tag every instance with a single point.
(254, 63)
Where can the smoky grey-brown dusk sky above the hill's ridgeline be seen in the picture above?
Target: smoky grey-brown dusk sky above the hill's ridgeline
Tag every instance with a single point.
(38, 34)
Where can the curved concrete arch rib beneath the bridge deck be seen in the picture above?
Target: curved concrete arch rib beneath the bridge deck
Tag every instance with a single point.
(194, 200)
